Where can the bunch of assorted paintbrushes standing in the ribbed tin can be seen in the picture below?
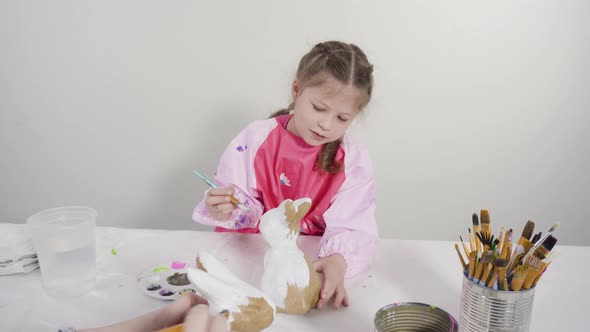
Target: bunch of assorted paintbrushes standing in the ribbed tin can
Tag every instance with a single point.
(498, 263)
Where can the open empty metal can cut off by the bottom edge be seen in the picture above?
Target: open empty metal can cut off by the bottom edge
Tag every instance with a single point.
(414, 317)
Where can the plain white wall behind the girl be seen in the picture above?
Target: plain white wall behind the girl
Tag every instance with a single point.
(477, 105)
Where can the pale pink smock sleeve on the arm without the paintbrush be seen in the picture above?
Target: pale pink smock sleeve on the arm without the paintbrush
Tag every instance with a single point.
(351, 228)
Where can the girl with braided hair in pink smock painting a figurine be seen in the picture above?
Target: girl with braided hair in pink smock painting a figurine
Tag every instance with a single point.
(303, 152)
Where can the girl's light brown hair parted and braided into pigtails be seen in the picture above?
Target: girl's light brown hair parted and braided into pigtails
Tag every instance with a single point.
(346, 63)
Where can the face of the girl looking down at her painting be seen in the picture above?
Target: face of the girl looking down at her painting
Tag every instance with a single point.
(323, 113)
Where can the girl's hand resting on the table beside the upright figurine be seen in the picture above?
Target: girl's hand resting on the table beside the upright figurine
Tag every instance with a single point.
(332, 268)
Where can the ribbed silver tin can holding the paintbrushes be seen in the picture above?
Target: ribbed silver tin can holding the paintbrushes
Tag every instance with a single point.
(486, 309)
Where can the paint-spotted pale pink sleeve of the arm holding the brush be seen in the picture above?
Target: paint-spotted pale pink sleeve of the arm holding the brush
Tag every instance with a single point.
(236, 167)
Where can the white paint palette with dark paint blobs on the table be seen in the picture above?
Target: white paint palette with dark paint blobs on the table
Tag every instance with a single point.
(166, 281)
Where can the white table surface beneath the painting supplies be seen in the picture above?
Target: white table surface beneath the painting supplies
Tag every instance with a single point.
(403, 271)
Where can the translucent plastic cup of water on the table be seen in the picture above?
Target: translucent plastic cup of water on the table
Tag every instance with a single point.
(65, 241)
